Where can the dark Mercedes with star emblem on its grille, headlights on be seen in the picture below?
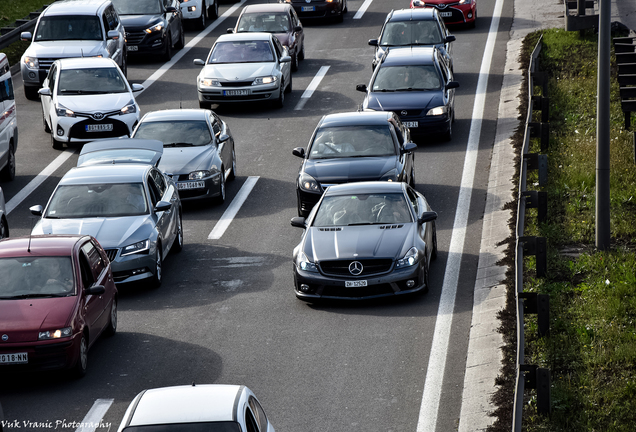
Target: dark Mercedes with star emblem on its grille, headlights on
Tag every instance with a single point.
(365, 240)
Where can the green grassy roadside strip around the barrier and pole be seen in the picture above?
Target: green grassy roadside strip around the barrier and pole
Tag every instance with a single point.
(591, 350)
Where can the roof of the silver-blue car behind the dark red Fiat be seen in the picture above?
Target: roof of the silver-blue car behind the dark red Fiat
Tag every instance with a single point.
(97, 174)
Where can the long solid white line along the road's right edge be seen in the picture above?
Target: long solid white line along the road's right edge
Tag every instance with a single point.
(441, 335)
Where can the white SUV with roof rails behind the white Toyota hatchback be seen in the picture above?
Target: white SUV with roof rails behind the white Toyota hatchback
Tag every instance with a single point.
(67, 28)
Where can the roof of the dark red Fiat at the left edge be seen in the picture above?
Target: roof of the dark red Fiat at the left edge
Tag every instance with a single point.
(40, 245)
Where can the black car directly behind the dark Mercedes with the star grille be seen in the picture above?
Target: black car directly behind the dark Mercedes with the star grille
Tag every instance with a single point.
(353, 147)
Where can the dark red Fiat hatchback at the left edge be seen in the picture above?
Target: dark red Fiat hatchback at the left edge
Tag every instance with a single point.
(56, 297)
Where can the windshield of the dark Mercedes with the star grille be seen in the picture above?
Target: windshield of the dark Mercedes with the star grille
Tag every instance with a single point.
(362, 209)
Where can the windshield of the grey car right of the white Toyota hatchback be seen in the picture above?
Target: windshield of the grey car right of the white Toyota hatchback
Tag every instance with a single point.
(176, 133)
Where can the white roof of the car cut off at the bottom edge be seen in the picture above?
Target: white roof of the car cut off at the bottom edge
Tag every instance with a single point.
(186, 404)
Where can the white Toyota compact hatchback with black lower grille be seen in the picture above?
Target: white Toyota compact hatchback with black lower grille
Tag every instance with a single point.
(86, 99)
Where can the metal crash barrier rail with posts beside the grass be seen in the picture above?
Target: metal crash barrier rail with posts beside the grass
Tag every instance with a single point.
(531, 376)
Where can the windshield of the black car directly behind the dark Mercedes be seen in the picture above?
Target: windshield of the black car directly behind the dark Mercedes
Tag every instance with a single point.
(352, 141)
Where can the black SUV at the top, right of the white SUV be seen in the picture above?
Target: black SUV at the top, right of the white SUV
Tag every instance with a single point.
(152, 26)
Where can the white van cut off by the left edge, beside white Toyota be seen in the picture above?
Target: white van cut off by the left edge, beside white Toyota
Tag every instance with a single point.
(8, 122)
